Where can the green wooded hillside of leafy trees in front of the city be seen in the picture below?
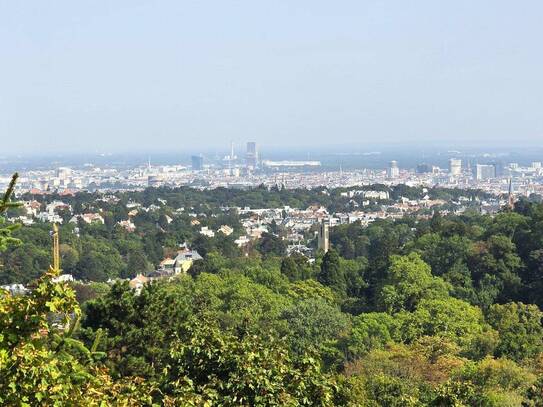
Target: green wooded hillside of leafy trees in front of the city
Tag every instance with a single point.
(435, 311)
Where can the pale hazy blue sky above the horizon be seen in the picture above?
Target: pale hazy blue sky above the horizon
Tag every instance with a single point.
(175, 75)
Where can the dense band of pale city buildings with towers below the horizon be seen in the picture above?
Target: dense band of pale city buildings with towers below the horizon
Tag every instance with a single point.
(247, 171)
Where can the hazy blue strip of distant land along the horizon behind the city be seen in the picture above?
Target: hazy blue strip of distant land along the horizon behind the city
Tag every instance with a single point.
(307, 159)
